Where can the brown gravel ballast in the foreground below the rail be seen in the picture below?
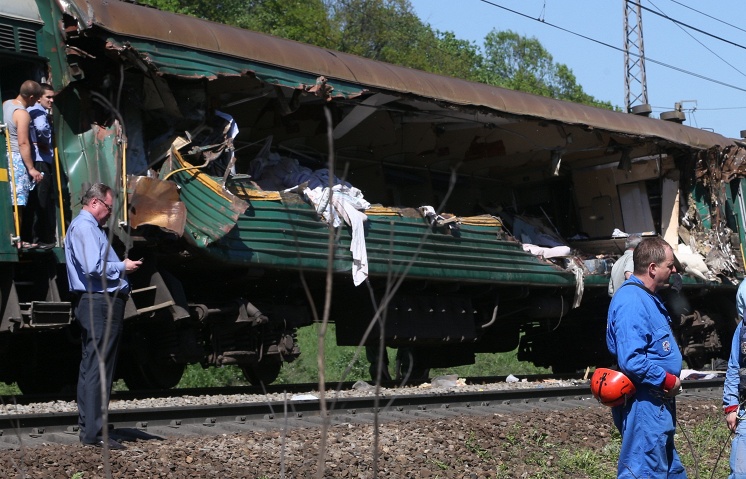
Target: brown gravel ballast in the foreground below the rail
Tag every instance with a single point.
(500, 445)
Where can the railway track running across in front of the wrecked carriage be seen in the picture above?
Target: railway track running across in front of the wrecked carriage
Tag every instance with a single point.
(303, 411)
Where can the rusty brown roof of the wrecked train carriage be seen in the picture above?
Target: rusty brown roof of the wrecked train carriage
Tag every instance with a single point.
(141, 22)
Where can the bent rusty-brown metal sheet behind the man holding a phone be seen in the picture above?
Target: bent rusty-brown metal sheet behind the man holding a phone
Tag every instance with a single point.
(154, 202)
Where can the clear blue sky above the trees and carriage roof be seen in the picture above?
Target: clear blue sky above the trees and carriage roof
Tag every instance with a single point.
(707, 75)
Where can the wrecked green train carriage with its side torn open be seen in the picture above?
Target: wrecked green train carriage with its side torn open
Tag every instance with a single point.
(452, 218)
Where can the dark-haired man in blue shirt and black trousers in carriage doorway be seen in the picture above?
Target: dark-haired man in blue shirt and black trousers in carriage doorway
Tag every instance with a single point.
(40, 209)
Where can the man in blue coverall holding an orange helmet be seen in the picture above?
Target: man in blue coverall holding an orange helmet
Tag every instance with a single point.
(639, 335)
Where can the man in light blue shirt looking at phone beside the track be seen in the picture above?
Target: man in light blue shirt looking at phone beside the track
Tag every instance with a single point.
(98, 281)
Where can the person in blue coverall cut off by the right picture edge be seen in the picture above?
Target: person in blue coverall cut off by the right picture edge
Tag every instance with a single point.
(734, 393)
